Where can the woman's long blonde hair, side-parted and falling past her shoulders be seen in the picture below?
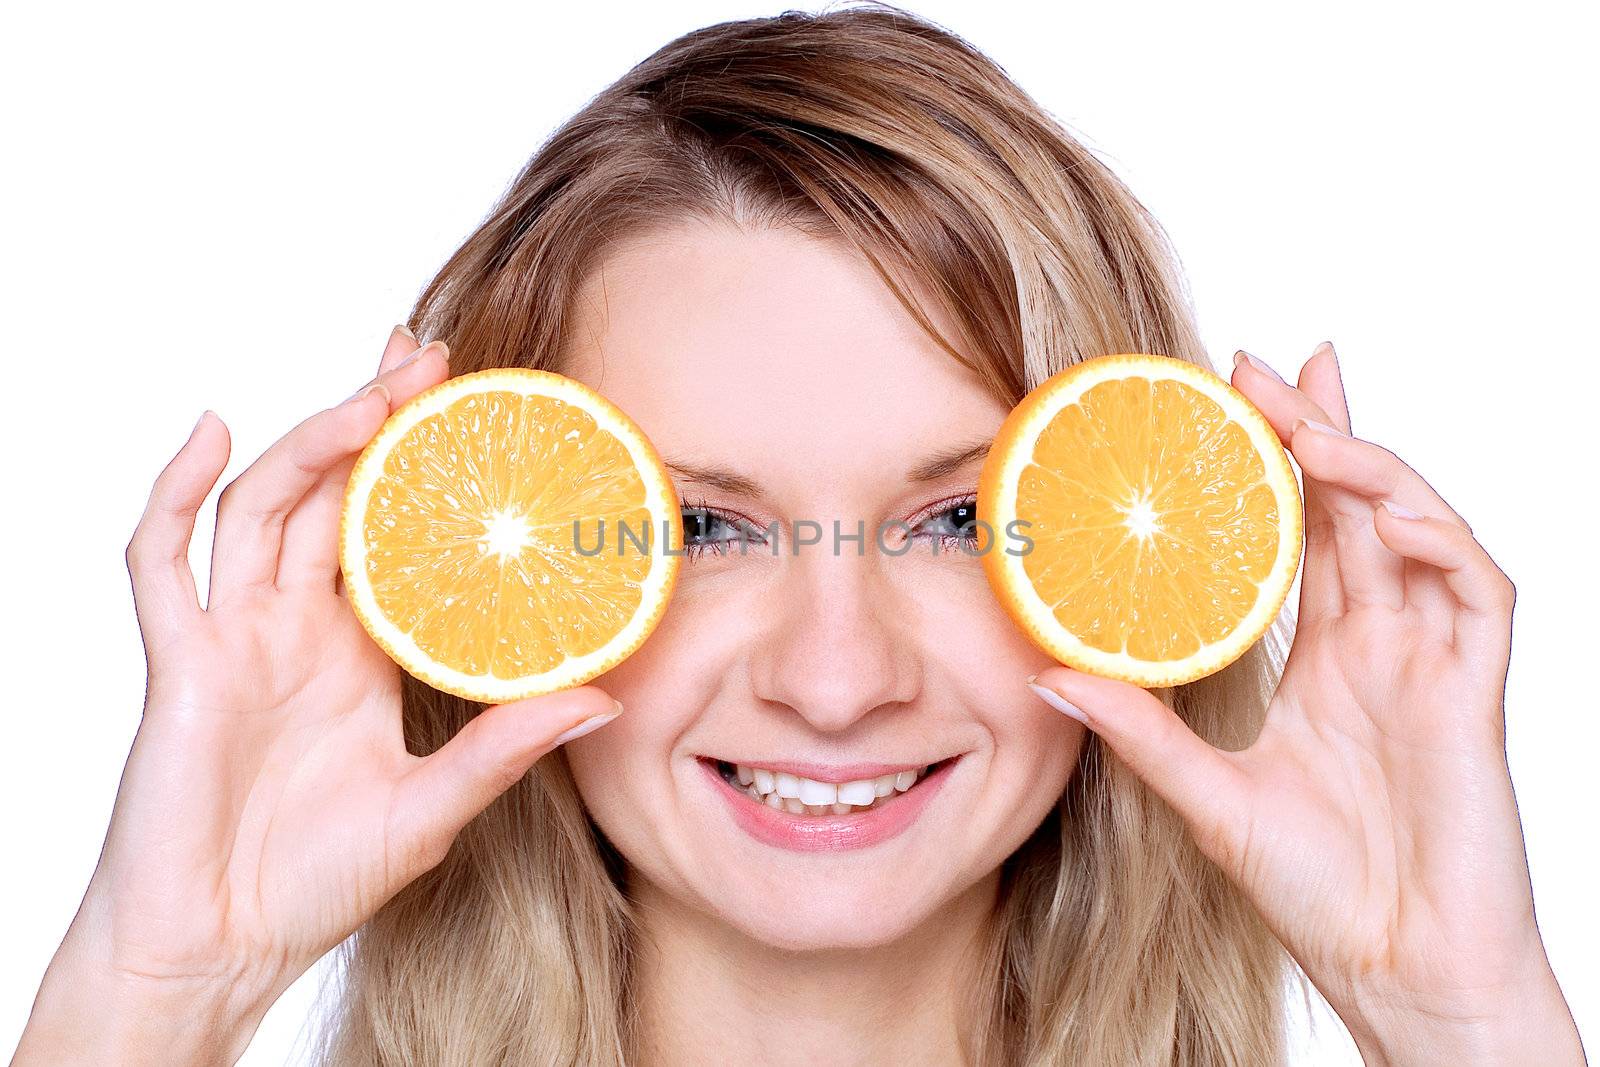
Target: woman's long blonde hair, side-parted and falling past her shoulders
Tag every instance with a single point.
(1116, 941)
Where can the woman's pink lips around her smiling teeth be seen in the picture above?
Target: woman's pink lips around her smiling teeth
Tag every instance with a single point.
(828, 834)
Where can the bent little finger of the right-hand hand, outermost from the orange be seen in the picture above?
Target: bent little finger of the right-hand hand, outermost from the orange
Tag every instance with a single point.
(1484, 594)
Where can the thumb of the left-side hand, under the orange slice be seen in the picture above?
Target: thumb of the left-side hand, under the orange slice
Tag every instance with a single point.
(489, 756)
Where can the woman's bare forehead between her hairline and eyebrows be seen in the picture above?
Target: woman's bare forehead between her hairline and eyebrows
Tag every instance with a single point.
(718, 340)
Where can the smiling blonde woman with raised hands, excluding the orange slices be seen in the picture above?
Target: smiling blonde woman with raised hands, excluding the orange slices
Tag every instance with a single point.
(817, 258)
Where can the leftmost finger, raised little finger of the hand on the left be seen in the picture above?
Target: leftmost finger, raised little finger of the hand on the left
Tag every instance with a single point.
(164, 588)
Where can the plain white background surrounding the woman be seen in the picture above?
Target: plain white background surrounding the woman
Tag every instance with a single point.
(228, 209)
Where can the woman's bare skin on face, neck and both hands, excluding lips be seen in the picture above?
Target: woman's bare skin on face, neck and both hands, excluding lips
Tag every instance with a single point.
(1372, 825)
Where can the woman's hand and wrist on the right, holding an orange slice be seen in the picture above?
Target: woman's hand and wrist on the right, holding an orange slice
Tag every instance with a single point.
(1372, 823)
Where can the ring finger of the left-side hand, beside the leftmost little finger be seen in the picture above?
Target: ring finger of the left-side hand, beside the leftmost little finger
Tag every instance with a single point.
(254, 506)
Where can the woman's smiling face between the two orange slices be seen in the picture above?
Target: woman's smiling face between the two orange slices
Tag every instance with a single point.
(783, 383)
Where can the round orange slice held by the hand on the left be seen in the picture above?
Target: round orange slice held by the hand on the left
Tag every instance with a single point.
(458, 538)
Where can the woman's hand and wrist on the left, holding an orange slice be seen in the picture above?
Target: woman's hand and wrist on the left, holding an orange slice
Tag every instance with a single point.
(270, 805)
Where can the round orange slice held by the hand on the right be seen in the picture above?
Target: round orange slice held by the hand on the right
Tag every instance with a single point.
(1164, 519)
